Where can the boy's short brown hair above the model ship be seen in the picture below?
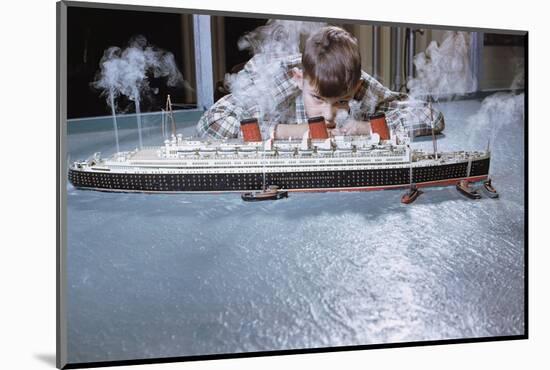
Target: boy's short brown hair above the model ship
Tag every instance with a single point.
(332, 62)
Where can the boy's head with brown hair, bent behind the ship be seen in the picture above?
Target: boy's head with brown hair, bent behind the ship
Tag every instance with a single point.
(331, 72)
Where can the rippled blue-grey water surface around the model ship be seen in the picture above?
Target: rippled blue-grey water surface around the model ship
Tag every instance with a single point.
(177, 275)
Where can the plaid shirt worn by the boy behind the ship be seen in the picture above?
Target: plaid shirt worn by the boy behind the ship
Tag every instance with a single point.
(276, 86)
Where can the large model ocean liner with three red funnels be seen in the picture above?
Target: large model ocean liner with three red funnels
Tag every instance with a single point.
(315, 162)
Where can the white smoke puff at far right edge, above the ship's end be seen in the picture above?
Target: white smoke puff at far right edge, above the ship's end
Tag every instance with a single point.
(497, 112)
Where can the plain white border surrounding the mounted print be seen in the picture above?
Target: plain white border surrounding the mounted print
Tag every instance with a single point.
(28, 193)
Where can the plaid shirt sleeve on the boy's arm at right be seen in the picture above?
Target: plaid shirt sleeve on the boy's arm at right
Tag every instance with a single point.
(415, 117)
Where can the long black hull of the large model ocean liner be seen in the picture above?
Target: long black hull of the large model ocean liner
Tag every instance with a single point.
(367, 179)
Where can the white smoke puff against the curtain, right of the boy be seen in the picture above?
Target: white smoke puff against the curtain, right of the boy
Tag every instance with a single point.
(443, 70)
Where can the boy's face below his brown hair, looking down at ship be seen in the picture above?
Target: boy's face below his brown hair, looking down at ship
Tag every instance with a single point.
(317, 105)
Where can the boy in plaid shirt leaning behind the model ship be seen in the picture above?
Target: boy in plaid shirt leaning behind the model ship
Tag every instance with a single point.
(325, 80)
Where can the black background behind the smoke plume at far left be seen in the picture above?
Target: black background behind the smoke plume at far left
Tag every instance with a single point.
(91, 31)
